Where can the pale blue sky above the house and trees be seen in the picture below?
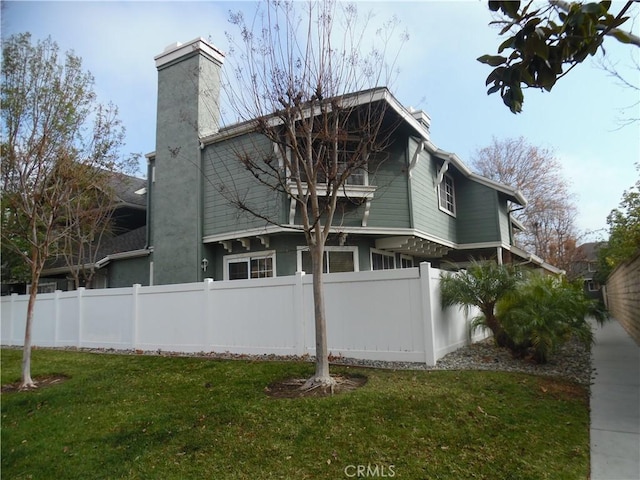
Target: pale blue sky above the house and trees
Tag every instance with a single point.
(579, 119)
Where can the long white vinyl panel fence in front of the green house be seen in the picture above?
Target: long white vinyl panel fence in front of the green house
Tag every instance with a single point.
(392, 315)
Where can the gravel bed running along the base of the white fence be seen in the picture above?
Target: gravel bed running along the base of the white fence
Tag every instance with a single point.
(572, 361)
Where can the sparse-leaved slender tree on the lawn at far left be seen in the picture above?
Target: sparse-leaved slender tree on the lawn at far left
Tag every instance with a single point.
(51, 126)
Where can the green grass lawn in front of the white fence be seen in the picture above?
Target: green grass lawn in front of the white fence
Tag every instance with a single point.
(175, 418)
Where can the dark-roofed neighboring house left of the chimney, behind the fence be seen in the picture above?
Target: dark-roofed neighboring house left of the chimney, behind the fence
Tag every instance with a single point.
(121, 258)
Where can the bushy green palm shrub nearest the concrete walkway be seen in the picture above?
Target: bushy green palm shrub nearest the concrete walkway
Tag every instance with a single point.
(543, 312)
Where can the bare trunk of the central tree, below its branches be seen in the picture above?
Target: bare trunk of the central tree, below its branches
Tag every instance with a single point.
(321, 378)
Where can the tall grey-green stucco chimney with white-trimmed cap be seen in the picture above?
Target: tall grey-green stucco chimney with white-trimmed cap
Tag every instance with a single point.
(188, 109)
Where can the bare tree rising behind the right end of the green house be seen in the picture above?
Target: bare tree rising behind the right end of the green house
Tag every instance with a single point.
(549, 217)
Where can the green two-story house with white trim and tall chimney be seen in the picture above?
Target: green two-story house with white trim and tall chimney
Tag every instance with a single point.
(420, 204)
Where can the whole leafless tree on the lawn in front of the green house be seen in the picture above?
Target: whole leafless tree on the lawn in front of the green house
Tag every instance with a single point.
(304, 80)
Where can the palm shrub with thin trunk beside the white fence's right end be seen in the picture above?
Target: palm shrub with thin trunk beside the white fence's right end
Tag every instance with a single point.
(481, 285)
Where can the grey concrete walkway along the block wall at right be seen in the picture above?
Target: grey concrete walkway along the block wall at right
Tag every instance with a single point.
(615, 405)
